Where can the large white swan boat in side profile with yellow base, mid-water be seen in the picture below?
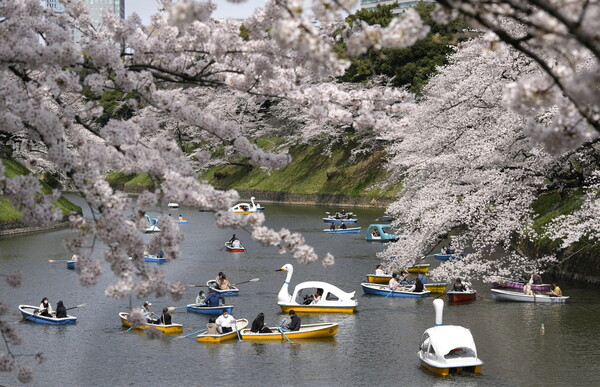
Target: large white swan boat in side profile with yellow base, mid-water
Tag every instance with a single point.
(332, 300)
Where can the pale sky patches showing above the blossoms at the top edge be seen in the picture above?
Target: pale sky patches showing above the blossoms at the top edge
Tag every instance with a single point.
(225, 9)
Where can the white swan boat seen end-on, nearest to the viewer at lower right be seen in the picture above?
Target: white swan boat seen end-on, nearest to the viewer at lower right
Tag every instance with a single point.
(448, 348)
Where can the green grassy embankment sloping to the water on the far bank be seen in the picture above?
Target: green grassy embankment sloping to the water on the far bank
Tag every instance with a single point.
(311, 172)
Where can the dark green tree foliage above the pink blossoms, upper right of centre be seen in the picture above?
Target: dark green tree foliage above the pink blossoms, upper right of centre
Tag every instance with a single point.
(412, 66)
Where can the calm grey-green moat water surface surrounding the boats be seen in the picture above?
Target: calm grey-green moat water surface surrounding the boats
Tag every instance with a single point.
(375, 346)
